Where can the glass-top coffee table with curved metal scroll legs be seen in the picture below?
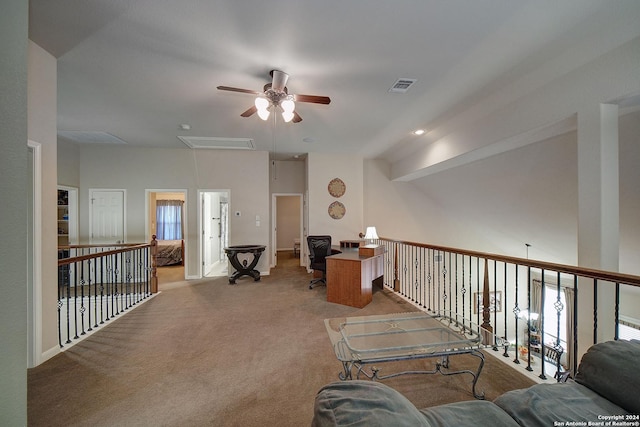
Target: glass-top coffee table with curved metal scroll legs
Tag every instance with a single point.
(365, 340)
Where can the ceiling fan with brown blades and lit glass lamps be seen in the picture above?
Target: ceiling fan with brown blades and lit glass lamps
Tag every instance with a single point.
(275, 95)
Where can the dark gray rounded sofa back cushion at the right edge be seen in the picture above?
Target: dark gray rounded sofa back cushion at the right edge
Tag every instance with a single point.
(611, 369)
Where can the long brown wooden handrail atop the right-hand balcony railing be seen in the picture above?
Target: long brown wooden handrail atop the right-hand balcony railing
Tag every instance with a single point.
(608, 276)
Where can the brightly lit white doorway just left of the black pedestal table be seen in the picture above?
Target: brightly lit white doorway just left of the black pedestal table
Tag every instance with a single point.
(214, 231)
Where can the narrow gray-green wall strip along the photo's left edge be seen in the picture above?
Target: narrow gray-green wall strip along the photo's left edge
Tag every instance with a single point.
(13, 193)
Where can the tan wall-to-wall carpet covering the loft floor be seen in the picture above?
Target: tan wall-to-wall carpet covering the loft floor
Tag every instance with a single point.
(206, 353)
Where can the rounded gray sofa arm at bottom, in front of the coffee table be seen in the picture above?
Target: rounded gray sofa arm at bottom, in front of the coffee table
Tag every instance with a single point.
(364, 403)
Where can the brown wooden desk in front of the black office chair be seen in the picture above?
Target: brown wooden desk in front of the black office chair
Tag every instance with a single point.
(350, 278)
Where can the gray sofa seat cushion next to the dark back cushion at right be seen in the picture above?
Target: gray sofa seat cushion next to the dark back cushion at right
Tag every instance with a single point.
(546, 404)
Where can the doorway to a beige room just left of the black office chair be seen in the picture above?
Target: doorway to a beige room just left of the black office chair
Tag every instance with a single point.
(287, 227)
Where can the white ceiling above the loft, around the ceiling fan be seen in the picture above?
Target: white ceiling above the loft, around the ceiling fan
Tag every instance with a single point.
(137, 70)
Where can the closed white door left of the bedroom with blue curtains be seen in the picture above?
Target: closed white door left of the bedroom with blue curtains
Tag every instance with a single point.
(107, 216)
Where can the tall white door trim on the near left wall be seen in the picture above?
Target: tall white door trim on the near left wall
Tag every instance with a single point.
(35, 334)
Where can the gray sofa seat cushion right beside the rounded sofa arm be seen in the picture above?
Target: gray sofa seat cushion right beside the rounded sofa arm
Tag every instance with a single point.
(469, 413)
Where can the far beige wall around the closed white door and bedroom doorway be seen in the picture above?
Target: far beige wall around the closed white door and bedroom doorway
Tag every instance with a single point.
(244, 173)
